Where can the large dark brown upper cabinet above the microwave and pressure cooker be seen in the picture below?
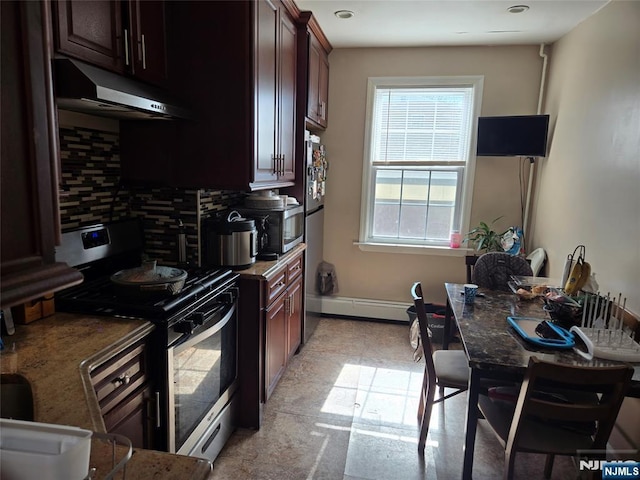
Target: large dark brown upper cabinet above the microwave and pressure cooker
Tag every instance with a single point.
(237, 65)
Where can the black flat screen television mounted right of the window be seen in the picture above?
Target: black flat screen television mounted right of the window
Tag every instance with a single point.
(512, 136)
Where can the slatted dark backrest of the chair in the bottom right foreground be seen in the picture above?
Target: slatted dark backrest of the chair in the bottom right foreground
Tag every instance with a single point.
(601, 392)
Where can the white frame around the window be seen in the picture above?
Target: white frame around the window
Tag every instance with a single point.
(365, 242)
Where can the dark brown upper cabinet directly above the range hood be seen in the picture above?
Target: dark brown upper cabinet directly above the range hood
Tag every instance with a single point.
(127, 37)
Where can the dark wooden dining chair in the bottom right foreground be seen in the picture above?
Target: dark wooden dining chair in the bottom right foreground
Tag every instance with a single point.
(558, 410)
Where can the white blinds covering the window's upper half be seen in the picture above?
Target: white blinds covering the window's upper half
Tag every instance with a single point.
(421, 124)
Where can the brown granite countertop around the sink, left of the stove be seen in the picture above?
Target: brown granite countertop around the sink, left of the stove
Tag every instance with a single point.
(55, 354)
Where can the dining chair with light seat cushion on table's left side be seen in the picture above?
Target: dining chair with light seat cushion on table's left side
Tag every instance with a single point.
(442, 368)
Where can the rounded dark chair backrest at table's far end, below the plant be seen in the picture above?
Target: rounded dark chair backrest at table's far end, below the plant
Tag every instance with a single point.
(494, 269)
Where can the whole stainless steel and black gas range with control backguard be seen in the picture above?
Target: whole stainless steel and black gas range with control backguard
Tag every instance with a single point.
(194, 347)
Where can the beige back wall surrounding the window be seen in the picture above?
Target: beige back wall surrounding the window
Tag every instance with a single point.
(511, 86)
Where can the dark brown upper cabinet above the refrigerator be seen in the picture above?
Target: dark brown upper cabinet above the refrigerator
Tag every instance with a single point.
(317, 48)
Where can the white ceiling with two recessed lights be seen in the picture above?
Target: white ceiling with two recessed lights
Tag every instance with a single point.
(414, 23)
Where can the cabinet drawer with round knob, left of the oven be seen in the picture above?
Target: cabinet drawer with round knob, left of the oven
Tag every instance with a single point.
(114, 380)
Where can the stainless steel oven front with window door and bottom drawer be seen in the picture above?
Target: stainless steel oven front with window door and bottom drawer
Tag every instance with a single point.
(202, 358)
